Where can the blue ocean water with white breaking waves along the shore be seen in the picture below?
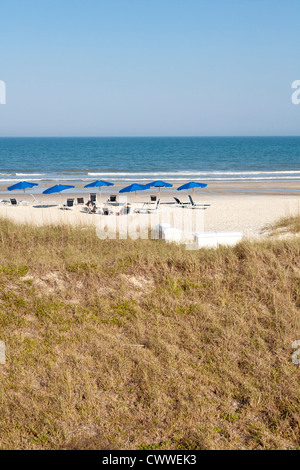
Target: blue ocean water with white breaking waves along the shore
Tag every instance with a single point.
(146, 159)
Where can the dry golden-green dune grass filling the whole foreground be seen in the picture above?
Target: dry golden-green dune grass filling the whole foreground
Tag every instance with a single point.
(143, 345)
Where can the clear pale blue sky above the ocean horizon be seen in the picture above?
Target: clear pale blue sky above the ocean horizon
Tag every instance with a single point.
(149, 67)
